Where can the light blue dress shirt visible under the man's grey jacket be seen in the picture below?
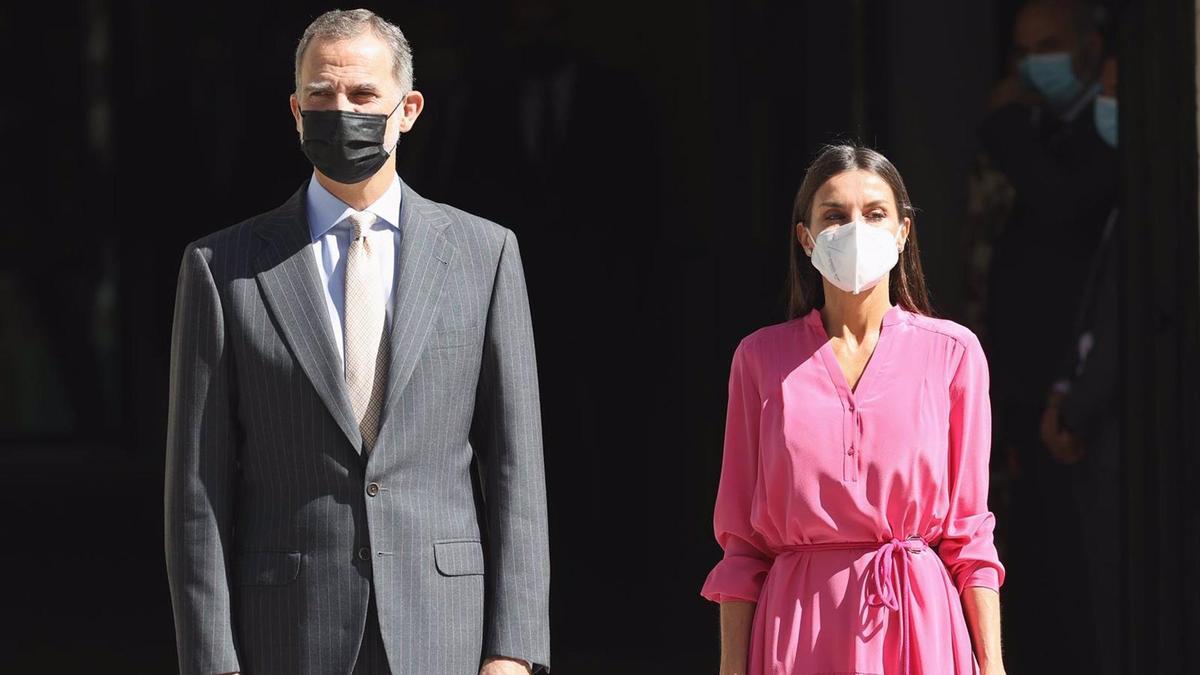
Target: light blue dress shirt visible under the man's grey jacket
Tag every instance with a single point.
(332, 232)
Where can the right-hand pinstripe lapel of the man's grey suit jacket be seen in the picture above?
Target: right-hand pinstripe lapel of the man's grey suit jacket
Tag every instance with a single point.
(422, 268)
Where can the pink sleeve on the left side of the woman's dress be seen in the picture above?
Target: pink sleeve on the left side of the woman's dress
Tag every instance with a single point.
(742, 571)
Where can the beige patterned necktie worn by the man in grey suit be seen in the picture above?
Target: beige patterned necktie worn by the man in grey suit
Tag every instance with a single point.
(365, 344)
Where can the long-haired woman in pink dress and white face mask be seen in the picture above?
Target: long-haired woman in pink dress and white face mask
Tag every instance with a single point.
(854, 498)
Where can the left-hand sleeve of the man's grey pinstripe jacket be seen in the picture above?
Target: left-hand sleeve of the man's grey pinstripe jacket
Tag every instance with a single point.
(200, 475)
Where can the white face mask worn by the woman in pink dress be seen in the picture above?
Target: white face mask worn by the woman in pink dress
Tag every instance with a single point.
(855, 256)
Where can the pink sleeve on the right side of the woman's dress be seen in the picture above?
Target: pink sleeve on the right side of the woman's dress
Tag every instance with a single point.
(968, 547)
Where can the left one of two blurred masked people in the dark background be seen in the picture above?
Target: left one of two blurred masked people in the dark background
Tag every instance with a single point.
(1063, 178)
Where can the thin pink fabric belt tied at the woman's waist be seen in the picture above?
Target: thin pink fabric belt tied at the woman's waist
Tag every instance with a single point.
(890, 584)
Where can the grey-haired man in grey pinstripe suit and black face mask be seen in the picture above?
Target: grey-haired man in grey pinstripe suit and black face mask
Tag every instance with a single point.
(355, 471)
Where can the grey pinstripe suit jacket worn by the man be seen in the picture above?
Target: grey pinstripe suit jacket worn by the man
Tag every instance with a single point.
(271, 509)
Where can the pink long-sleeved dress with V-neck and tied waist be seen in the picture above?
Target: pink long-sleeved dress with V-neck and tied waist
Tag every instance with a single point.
(856, 519)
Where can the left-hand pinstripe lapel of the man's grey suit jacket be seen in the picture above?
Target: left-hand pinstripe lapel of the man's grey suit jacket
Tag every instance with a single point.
(292, 286)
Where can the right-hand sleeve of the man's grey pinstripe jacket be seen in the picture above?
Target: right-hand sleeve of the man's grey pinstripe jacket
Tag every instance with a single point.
(507, 435)
